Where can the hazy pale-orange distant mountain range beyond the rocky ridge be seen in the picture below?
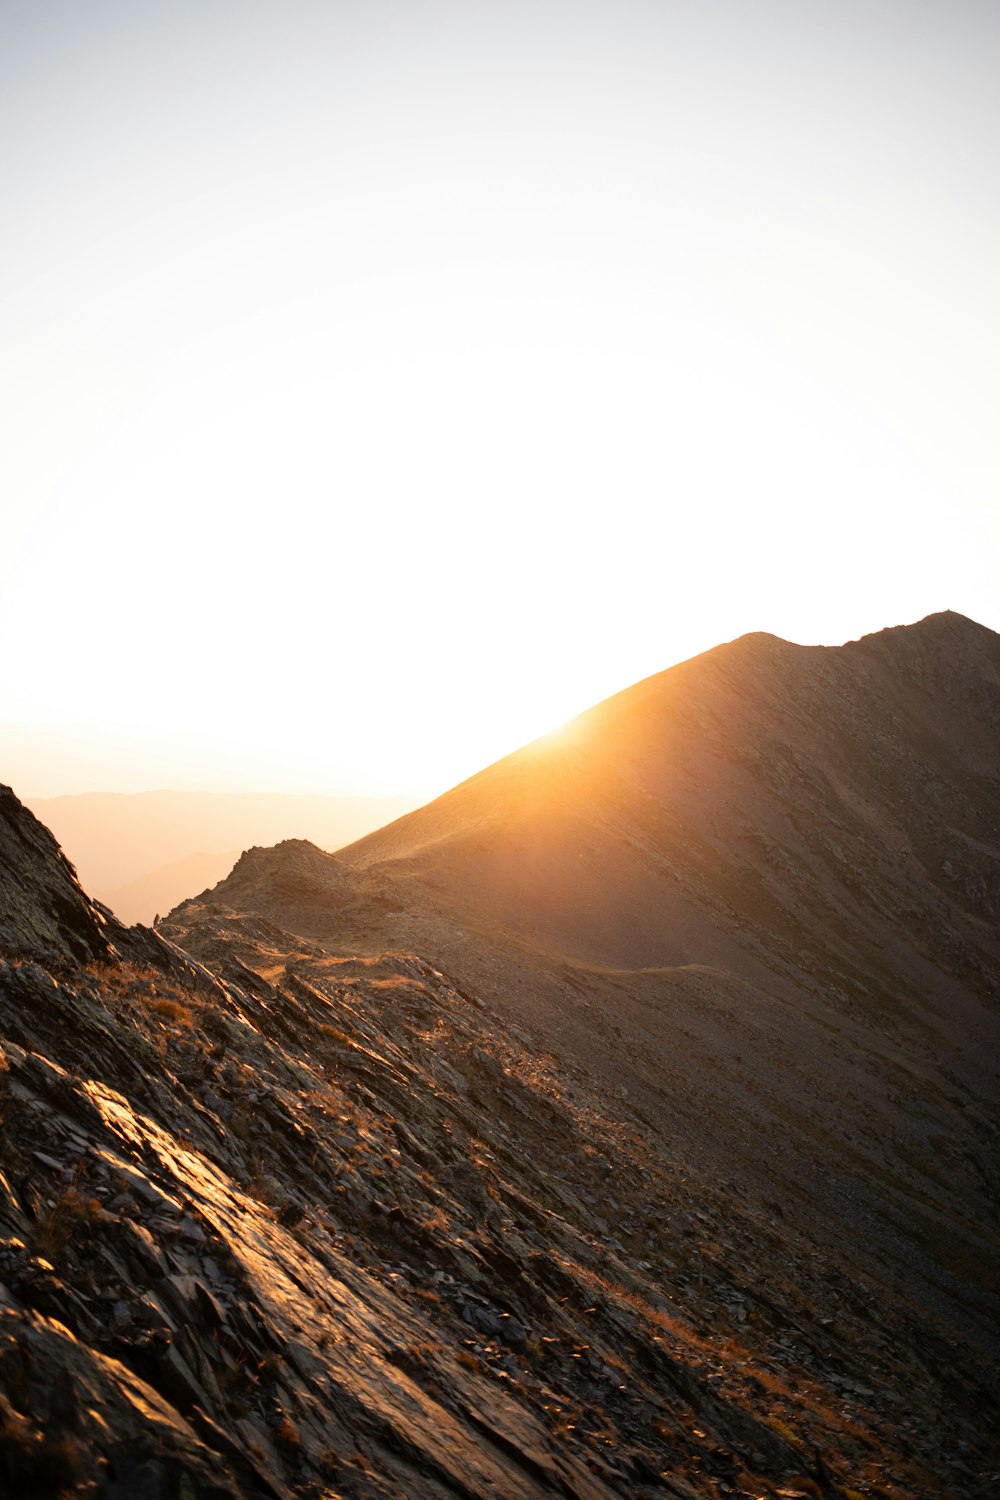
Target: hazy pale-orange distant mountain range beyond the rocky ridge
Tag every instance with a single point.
(127, 845)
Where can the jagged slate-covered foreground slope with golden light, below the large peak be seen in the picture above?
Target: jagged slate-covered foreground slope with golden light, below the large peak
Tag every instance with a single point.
(328, 1226)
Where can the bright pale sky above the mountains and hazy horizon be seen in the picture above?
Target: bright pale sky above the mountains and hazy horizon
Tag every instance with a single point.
(383, 385)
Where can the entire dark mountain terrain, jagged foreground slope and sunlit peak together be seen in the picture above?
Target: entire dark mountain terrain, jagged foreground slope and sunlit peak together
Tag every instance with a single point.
(392, 1174)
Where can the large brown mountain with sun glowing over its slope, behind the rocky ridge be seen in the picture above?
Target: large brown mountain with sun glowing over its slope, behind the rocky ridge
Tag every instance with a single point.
(752, 902)
